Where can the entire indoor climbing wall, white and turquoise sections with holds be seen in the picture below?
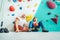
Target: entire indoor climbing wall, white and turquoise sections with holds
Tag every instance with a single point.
(47, 11)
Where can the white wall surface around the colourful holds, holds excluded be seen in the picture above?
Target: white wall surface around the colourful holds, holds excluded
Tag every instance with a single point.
(7, 15)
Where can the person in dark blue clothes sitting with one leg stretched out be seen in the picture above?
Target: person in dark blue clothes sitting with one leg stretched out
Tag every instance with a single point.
(36, 26)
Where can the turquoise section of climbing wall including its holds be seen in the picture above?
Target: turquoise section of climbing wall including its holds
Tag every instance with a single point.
(49, 13)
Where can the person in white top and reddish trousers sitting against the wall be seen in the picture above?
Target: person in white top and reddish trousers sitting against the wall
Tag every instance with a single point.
(21, 24)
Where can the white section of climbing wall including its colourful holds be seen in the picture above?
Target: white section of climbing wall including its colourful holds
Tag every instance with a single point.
(15, 8)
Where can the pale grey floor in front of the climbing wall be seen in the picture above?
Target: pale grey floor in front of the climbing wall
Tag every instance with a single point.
(30, 36)
